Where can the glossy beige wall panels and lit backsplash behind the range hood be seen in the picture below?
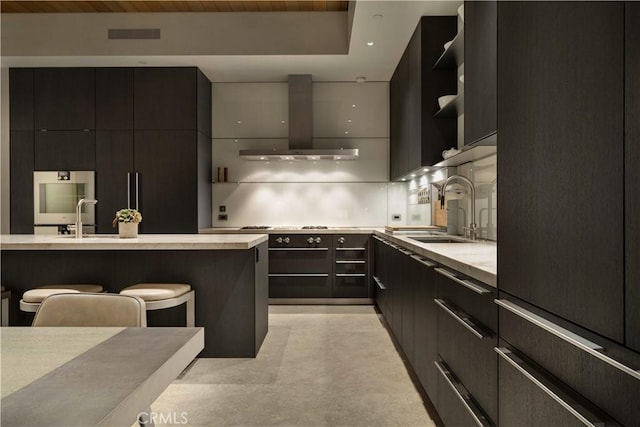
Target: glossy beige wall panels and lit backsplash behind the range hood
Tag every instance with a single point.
(350, 193)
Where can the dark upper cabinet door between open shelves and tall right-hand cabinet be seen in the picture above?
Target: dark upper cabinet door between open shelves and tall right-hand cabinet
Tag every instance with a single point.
(480, 65)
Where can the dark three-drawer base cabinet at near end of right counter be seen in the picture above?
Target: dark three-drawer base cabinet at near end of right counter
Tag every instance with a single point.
(467, 325)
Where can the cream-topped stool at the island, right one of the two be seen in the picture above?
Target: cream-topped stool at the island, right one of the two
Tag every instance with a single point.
(165, 295)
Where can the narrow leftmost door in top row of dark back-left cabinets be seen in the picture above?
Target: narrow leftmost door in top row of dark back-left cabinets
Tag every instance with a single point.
(21, 98)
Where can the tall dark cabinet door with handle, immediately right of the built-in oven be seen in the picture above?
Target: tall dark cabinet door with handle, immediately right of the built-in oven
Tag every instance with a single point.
(114, 164)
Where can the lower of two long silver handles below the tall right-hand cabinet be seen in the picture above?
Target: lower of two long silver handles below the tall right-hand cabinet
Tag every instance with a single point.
(566, 401)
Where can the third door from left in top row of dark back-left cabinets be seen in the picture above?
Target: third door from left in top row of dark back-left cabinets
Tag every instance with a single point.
(114, 98)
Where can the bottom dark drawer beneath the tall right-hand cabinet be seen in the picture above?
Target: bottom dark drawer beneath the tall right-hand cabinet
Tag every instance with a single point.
(530, 397)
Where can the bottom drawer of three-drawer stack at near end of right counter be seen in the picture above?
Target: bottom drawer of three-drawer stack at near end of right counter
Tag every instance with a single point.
(456, 406)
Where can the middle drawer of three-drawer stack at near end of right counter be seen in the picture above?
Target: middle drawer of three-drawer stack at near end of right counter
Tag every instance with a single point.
(467, 347)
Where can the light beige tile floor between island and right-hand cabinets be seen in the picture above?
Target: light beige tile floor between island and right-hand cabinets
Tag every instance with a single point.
(318, 366)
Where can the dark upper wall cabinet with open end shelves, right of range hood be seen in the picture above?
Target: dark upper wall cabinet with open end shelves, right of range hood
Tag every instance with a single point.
(416, 137)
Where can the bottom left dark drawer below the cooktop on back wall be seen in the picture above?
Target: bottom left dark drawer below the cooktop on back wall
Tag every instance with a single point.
(299, 286)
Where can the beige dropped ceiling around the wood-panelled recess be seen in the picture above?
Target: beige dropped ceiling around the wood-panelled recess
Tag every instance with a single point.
(240, 47)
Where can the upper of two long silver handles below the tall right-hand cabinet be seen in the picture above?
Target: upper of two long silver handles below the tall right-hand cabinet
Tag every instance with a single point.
(566, 335)
